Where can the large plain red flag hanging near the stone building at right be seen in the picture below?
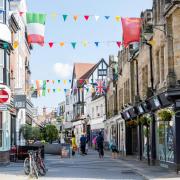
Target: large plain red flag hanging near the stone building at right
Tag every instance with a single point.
(131, 30)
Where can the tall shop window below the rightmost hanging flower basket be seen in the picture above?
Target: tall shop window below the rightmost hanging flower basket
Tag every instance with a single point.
(165, 148)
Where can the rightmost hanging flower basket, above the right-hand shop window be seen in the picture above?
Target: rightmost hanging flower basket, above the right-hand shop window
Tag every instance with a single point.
(165, 114)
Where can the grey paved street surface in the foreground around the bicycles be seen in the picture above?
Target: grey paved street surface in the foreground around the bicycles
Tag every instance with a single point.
(80, 168)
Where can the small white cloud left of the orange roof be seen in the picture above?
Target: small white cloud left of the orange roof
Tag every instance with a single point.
(63, 70)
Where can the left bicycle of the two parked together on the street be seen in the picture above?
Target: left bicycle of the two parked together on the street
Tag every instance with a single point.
(30, 167)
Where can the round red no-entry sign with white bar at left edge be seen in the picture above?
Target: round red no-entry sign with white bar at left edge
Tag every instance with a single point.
(5, 94)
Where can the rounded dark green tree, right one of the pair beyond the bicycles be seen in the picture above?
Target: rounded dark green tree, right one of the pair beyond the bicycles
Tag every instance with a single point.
(51, 133)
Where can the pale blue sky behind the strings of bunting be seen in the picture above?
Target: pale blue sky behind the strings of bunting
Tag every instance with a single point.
(43, 59)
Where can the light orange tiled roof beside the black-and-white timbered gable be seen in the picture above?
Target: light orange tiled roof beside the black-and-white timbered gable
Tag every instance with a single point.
(81, 68)
